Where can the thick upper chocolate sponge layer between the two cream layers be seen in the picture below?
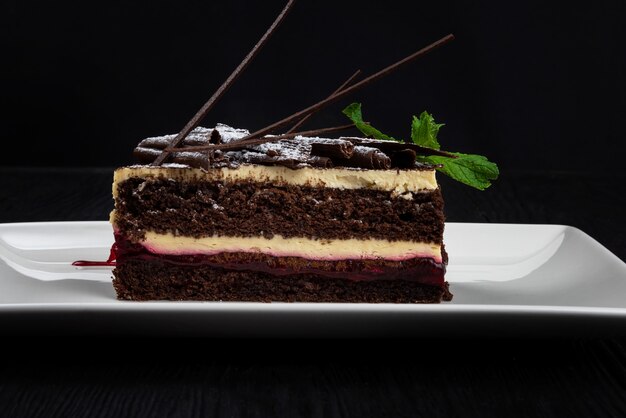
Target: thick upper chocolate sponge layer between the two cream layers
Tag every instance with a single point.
(261, 209)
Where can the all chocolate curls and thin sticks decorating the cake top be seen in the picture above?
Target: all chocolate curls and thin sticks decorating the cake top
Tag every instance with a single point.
(324, 153)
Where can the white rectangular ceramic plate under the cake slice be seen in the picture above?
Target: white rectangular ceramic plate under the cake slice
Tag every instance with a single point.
(506, 279)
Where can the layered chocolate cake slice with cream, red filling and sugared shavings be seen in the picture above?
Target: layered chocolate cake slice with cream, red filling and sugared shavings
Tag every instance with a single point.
(303, 219)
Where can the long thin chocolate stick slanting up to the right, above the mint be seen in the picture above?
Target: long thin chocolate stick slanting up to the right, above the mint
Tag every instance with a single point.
(374, 77)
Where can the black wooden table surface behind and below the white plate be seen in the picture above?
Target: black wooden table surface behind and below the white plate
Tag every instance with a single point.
(547, 377)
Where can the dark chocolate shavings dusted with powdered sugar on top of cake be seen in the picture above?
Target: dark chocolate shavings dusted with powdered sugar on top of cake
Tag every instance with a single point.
(295, 153)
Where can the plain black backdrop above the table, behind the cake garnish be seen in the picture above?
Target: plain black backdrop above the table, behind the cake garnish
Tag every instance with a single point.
(532, 85)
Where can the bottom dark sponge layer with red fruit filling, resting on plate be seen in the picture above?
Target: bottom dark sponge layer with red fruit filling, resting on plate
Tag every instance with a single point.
(141, 280)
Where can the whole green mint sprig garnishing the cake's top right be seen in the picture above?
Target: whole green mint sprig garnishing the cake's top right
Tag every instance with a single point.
(471, 169)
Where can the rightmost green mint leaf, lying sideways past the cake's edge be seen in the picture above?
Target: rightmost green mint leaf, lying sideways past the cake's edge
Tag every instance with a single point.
(471, 169)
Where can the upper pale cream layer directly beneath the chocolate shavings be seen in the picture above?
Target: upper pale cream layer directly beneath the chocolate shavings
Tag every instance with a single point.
(399, 182)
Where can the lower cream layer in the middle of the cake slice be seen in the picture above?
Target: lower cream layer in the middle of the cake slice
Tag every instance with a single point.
(278, 246)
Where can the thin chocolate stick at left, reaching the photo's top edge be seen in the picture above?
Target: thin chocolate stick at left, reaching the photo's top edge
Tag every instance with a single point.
(226, 85)
